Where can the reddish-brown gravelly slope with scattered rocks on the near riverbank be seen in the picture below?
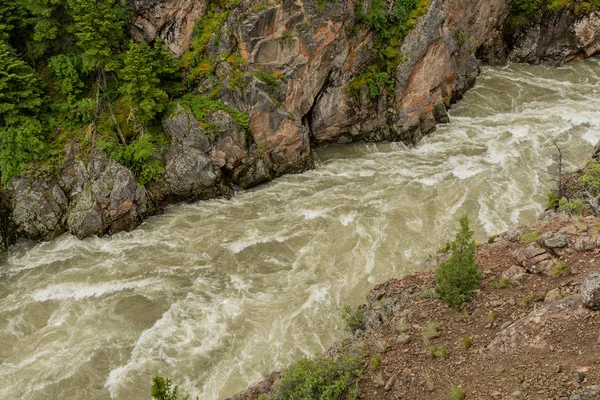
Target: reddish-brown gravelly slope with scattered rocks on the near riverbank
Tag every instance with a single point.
(530, 332)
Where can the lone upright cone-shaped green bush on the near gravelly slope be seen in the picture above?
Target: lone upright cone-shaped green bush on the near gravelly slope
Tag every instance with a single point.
(458, 277)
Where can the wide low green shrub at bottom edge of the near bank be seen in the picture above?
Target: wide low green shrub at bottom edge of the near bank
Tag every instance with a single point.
(321, 378)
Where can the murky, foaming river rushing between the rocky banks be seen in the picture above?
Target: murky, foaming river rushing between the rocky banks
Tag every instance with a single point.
(219, 293)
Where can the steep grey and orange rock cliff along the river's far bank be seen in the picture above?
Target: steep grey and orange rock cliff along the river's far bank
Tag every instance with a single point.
(274, 79)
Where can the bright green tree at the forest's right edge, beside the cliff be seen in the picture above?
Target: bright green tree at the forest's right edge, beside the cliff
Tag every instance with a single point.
(142, 68)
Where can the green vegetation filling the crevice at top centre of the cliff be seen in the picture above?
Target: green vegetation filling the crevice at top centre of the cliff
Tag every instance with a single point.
(390, 23)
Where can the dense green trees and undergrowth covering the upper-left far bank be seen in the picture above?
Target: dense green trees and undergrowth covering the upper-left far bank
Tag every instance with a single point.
(69, 72)
